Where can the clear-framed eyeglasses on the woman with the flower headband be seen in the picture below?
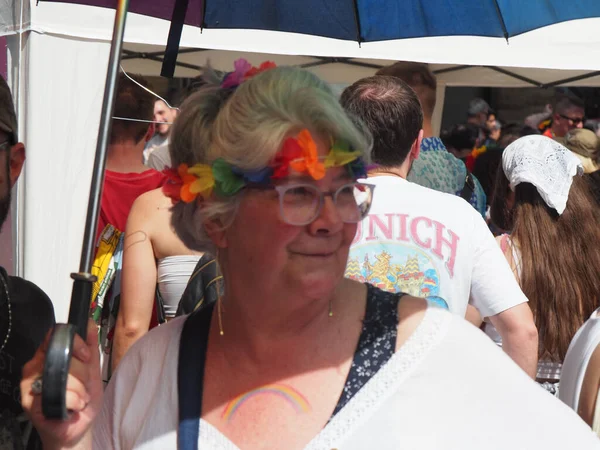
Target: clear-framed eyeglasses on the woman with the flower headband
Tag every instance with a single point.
(300, 204)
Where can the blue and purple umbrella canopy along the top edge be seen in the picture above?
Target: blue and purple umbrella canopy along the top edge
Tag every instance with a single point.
(372, 20)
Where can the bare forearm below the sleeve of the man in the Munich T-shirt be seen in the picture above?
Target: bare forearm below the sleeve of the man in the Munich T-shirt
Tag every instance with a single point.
(519, 336)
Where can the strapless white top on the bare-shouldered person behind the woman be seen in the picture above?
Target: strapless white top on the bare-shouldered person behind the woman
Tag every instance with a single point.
(173, 275)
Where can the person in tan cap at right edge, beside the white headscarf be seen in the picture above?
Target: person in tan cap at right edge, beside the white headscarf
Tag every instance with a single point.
(586, 146)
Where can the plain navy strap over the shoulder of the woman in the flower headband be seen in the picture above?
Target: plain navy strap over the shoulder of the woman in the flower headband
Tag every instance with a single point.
(190, 375)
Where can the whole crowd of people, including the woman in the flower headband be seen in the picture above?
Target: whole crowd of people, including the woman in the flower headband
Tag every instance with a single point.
(354, 281)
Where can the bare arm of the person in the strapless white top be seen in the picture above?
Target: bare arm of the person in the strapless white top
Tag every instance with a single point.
(138, 283)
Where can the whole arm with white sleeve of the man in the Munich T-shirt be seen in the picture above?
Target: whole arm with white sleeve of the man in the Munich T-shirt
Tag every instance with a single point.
(495, 292)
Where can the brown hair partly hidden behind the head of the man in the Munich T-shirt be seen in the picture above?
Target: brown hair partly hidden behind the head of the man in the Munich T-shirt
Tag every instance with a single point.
(419, 78)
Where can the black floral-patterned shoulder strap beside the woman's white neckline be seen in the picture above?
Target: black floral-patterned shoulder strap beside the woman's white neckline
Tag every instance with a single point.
(377, 342)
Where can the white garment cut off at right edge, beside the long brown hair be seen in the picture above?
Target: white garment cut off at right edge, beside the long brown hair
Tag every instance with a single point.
(577, 359)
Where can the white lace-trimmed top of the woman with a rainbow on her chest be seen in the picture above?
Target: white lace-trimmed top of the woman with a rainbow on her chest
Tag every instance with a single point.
(413, 402)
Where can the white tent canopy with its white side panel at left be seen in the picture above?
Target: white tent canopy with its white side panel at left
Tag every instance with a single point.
(58, 55)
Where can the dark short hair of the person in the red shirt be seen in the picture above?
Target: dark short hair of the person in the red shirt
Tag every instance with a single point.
(132, 102)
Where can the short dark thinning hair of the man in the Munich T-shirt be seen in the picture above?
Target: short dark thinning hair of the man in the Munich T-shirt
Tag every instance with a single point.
(391, 111)
